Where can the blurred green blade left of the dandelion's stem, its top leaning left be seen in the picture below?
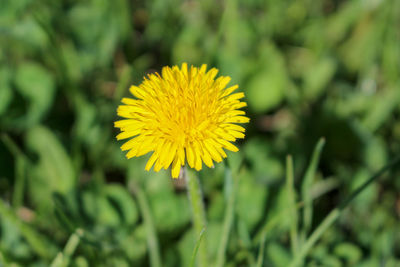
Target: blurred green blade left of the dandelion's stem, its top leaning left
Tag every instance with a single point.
(152, 241)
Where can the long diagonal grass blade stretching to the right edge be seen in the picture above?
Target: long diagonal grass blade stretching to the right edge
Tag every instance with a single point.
(334, 215)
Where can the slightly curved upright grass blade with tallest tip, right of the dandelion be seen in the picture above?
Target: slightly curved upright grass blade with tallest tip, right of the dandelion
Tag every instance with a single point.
(306, 187)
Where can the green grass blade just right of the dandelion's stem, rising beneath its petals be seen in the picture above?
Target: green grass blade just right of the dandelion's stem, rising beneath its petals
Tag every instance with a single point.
(228, 220)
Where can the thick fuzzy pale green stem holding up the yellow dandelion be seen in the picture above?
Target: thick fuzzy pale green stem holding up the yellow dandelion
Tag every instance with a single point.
(199, 217)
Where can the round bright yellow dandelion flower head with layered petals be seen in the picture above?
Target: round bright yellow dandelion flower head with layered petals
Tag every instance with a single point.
(181, 115)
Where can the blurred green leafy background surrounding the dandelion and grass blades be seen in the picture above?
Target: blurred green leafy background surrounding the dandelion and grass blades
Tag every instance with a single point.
(309, 69)
